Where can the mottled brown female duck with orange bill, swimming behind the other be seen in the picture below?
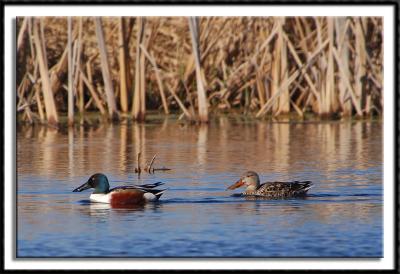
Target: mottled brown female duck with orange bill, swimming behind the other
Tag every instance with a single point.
(271, 190)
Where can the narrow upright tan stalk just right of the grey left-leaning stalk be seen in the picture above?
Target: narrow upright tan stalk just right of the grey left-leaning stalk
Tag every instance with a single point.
(122, 65)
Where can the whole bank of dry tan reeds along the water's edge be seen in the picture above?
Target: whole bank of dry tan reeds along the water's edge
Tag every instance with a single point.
(194, 68)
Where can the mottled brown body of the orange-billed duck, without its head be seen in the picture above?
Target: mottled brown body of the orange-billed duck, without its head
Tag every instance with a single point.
(282, 189)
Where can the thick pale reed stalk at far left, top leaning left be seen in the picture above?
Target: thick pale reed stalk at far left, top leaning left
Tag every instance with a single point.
(51, 112)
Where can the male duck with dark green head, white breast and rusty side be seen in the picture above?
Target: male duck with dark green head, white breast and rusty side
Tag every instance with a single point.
(130, 195)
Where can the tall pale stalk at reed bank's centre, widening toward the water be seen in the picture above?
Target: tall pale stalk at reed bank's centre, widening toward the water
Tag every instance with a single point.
(201, 93)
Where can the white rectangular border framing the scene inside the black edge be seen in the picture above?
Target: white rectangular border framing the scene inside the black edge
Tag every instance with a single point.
(115, 10)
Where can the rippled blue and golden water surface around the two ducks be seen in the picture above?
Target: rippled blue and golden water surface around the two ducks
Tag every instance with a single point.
(196, 217)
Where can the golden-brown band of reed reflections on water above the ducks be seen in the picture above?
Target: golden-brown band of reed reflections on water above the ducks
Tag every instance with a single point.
(223, 146)
